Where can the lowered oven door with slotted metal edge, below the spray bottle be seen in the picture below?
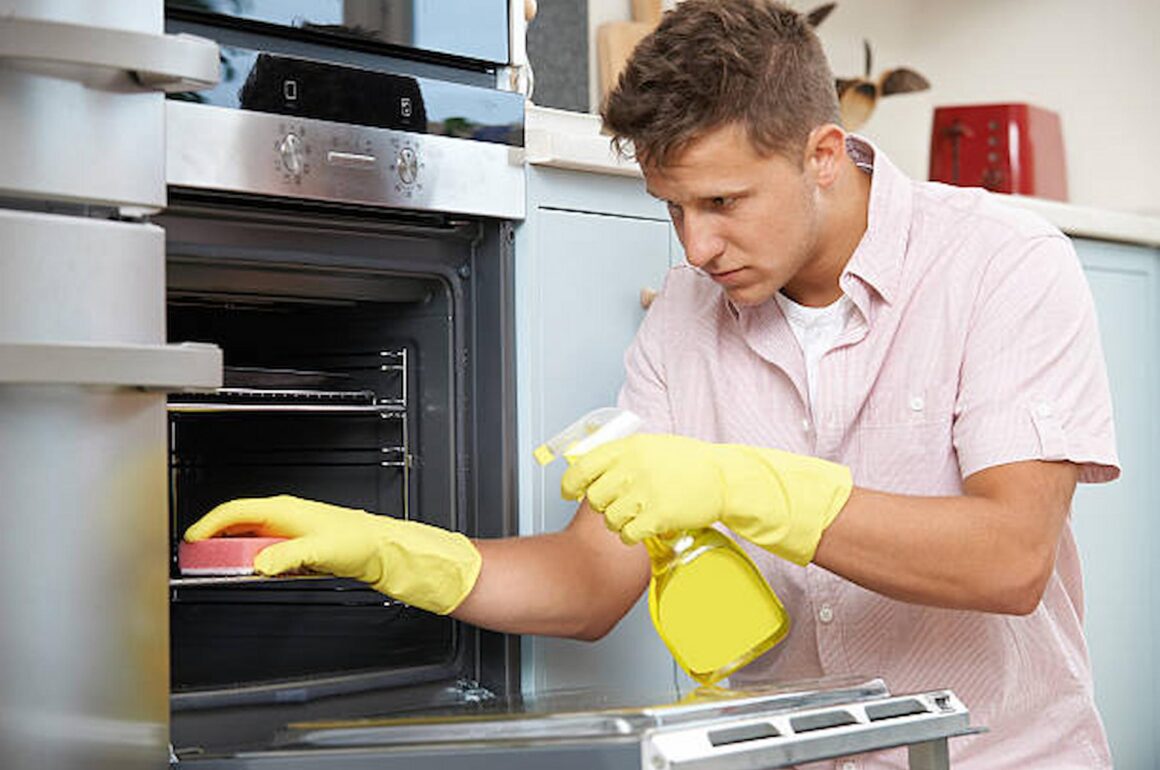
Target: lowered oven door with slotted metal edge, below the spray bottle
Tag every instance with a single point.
(709, 730)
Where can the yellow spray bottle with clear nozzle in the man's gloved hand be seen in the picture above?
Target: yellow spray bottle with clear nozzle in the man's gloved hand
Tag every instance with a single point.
(709, 602)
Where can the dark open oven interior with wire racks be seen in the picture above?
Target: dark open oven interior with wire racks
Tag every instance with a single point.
(365, 367)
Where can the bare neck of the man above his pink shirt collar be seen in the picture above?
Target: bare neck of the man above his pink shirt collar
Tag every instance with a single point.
(842, 222)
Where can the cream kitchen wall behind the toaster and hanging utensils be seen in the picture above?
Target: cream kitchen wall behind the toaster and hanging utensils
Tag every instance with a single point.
(1092, 63)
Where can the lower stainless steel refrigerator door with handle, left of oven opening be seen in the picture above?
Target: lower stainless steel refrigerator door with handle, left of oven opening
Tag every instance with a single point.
(84, 537)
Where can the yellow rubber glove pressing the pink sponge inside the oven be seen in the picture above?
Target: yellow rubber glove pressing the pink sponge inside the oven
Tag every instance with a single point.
(425, 566)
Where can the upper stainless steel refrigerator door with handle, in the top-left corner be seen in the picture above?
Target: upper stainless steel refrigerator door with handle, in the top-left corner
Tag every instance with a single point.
(81, 105)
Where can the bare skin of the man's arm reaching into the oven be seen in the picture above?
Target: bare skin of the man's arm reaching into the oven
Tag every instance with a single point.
(577, 584)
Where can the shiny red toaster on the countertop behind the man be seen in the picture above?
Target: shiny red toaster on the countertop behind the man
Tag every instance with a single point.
(1004, 148)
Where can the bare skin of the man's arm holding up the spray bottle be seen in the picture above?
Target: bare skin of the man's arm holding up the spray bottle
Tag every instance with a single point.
(994, 549)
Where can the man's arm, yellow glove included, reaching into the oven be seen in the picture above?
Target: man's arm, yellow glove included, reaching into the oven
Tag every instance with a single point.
(578, 583)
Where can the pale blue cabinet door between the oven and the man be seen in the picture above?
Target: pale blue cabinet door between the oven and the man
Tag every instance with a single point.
(579, 282)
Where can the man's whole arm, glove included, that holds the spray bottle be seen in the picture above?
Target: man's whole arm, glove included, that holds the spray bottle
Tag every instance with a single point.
(992, 549)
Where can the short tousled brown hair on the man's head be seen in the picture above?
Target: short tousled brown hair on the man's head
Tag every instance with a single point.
(712, 63)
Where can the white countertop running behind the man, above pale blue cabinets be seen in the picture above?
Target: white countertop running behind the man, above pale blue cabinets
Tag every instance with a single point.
(563, 140)
